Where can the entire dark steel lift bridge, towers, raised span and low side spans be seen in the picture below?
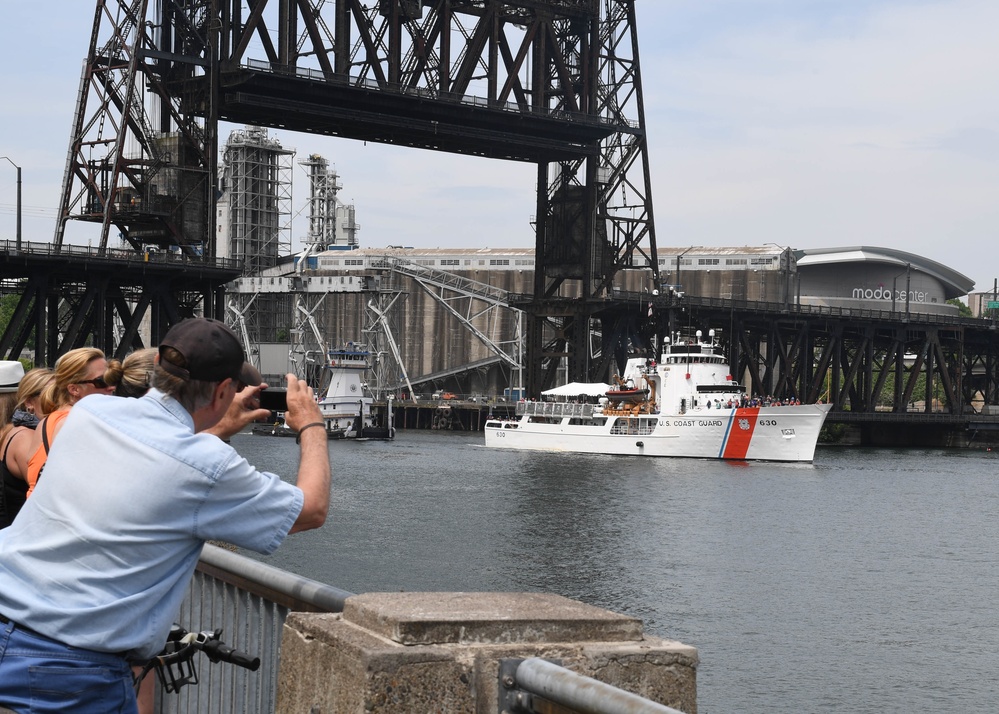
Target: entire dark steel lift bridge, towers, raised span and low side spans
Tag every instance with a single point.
(556, 83)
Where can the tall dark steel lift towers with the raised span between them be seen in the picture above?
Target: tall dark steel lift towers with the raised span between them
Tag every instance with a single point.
(556, 83)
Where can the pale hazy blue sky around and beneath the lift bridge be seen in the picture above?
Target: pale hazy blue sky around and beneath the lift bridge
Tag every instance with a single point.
(809, 123)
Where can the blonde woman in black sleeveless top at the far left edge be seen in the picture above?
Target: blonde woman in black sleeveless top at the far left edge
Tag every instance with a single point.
(15, 443)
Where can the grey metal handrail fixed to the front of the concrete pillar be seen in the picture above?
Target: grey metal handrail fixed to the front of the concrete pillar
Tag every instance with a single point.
(530, 685)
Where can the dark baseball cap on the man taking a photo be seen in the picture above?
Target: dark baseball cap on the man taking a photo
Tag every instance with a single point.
(211, 352)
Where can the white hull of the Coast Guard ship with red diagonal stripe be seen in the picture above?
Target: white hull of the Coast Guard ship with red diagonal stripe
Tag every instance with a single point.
(785, 433)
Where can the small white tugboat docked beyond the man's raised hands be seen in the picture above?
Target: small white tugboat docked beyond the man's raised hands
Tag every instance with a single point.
(348, 407)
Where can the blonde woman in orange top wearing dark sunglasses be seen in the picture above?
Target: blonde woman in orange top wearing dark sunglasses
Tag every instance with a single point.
(77, 374)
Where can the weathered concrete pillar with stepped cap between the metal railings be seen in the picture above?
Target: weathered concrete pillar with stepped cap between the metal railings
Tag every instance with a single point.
(439, 652)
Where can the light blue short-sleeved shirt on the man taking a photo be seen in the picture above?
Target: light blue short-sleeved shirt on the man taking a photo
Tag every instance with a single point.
(101, 555)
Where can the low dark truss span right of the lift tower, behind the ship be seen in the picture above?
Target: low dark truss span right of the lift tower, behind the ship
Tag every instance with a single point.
(885, 370)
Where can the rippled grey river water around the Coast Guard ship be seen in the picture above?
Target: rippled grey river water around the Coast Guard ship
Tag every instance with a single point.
(864, 582)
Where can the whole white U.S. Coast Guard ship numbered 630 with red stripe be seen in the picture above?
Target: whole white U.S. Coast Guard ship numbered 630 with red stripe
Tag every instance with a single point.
(686, 405)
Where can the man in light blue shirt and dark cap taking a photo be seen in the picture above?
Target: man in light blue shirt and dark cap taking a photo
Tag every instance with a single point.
(94, 568)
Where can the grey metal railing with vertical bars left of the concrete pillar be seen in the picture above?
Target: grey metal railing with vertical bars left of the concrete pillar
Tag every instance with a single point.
(250, 601)
